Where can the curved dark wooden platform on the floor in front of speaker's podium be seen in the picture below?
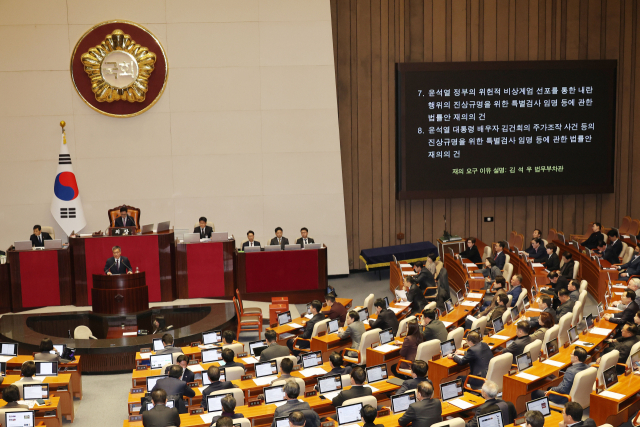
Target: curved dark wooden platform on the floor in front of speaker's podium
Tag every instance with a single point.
(112, 352)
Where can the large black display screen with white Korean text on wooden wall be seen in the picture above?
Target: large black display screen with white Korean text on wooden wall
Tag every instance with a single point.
(472, 129)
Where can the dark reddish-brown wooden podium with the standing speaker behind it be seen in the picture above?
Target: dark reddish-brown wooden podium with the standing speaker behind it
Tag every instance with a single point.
(119, 294)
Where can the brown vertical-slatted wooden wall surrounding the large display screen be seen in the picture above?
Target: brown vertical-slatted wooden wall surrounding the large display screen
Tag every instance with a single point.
(371, 36)
